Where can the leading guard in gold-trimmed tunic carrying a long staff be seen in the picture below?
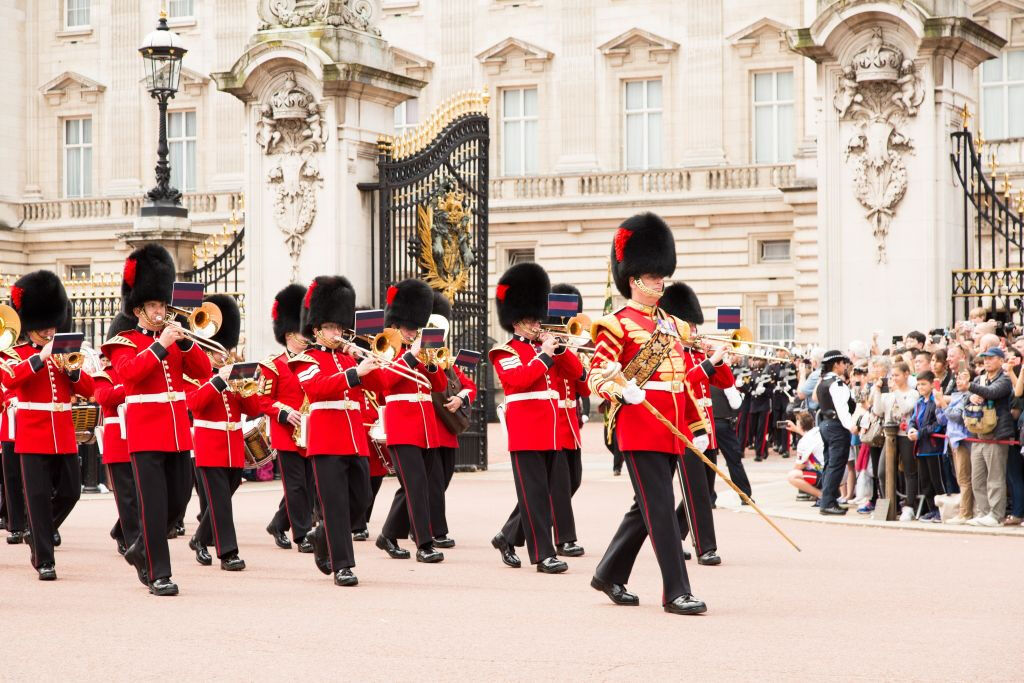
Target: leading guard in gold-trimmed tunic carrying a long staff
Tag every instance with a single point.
(645, 343)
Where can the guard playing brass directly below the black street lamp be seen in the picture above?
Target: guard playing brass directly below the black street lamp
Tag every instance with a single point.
(151, 362)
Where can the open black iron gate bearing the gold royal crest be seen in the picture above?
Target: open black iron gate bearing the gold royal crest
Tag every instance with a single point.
(434, 226)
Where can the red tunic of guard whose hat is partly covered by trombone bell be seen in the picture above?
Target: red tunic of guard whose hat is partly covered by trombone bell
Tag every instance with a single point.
(218, 423)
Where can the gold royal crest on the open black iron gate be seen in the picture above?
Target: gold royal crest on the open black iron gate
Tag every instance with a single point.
(446, 249)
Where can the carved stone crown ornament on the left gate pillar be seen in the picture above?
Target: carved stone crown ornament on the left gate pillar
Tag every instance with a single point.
(292, 131)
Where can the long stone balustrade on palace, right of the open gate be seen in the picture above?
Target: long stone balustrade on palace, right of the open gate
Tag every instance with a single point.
(674, 182)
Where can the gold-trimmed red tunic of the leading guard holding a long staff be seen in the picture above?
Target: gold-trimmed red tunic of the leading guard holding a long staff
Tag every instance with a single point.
(618, 338)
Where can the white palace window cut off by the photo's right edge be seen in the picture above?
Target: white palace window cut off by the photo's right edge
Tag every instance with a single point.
(1002, 95)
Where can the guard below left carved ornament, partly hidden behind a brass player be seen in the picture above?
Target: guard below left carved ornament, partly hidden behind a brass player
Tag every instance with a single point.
(282, 399)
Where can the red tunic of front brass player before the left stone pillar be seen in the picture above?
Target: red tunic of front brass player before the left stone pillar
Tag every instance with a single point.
(335, 392)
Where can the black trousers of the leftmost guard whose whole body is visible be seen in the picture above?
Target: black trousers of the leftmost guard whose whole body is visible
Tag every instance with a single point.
(53, 487)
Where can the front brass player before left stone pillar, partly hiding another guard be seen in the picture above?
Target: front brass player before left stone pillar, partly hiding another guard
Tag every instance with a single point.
(336, 440)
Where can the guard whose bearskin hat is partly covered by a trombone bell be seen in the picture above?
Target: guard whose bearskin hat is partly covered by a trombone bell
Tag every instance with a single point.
(221, 452)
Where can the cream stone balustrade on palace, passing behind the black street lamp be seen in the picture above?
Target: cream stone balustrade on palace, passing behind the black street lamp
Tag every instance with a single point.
(119, 207)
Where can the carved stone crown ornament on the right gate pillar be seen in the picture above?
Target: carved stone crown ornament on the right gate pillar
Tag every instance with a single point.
(878, 92)
